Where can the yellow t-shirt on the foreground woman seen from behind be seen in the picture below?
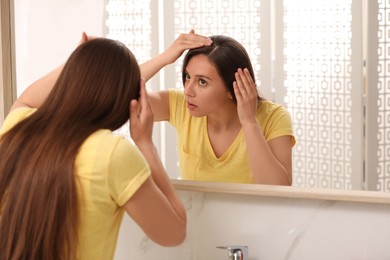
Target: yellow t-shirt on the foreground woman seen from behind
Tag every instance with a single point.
(109, 171)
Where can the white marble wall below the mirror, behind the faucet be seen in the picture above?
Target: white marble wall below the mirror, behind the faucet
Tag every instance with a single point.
(272, 228)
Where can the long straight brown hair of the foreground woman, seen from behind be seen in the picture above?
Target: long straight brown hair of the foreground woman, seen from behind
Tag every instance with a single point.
(39, 203)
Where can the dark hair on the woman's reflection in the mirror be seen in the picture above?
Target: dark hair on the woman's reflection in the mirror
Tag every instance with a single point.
(228, 55)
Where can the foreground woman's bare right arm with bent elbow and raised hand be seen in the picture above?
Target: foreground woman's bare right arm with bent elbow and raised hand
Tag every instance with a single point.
(156, 206)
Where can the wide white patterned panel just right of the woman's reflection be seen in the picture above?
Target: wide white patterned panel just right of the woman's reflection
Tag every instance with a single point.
(317, 54)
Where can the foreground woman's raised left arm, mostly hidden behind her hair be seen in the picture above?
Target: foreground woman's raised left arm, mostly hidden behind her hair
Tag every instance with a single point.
(37, 92)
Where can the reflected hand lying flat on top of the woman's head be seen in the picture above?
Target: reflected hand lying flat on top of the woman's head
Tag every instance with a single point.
(185, 42)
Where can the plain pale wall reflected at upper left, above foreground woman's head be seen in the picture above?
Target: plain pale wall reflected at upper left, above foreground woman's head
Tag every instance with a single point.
(46, 32)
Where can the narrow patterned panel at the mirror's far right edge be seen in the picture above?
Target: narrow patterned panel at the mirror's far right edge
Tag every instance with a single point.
(378, 96)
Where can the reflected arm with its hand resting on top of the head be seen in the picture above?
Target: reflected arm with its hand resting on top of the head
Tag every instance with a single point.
(159, 100)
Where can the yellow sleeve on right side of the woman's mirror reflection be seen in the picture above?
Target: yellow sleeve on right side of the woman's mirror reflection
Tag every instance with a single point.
(280, 125)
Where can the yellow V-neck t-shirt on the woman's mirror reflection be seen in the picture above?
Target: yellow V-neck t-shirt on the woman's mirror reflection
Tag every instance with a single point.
(197, 159)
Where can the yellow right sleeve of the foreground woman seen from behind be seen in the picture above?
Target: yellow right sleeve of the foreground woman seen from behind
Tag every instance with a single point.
(128, 170)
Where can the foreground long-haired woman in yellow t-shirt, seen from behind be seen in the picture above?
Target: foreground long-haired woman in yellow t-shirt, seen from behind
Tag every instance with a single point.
(65, 179)
